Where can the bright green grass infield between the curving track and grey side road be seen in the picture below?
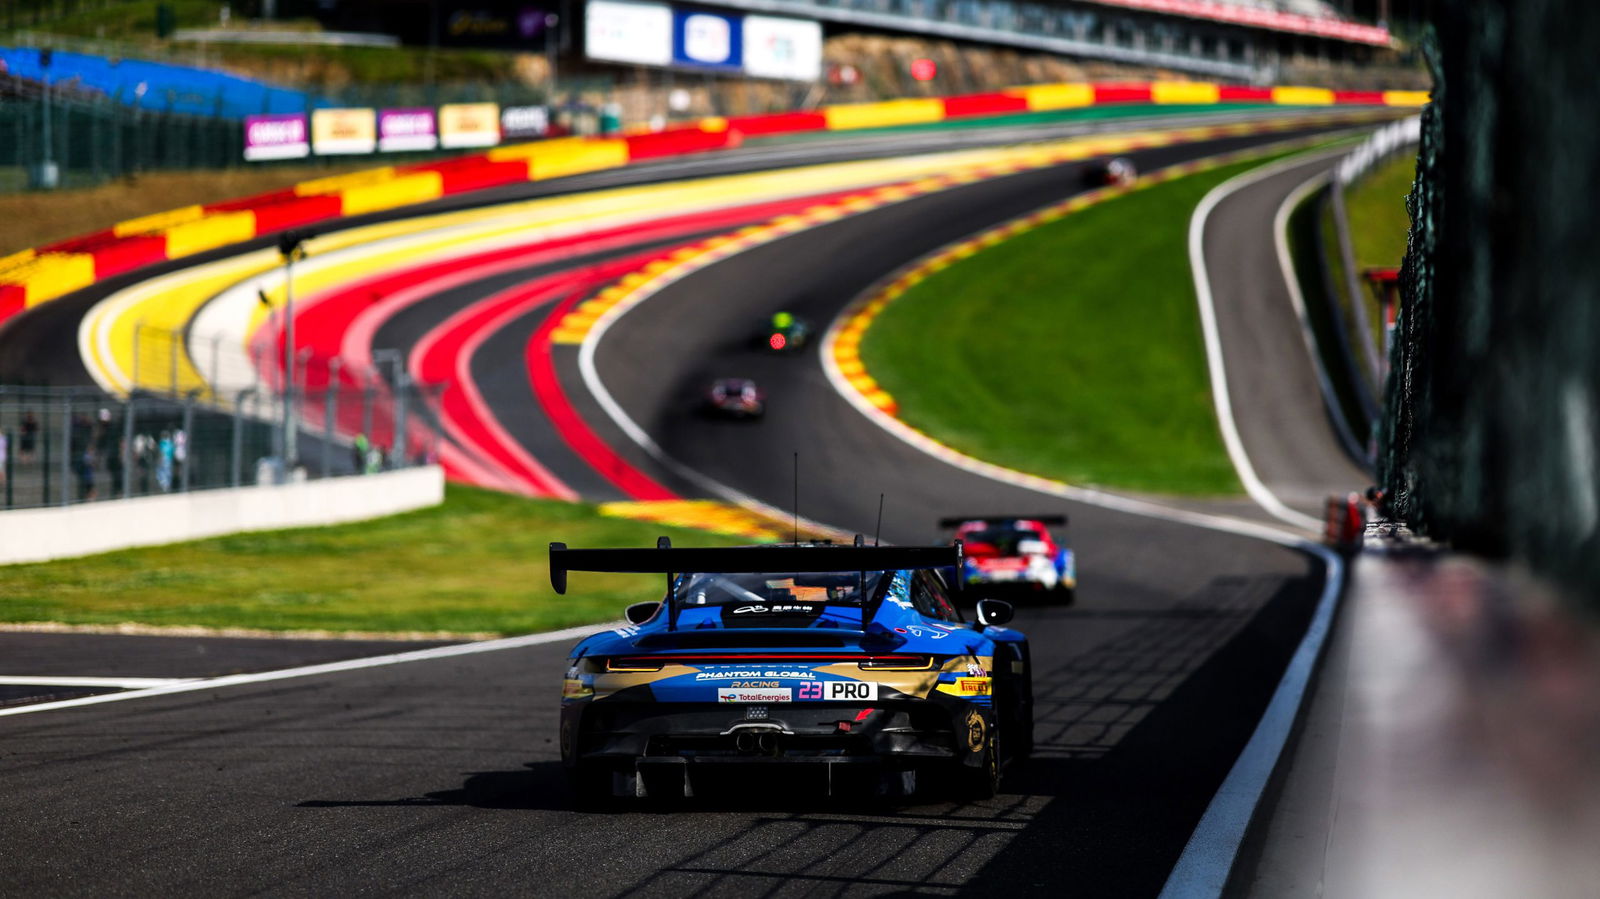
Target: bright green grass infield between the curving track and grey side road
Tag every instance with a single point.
(1071, 351)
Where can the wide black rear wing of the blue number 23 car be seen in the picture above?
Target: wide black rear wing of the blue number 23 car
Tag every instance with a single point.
(756, 559)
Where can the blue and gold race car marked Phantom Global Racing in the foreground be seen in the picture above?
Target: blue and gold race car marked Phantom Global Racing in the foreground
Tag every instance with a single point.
(846, 661)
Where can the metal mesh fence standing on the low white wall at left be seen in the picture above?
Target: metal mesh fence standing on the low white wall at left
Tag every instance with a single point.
(175, 433)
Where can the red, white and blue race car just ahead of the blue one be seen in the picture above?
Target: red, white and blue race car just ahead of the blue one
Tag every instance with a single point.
(1020, 553)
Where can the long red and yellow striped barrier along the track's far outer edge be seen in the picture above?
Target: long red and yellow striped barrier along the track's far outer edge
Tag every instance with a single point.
(33, 278)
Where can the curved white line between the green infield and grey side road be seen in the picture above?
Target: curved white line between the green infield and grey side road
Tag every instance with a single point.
(1214, 343)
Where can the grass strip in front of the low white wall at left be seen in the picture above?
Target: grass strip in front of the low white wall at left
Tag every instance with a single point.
(474, 565)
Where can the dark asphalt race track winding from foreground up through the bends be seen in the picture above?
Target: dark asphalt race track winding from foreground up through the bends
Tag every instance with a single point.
(442, 777)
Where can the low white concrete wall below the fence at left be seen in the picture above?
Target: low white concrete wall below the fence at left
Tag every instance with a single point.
(38, 535)
